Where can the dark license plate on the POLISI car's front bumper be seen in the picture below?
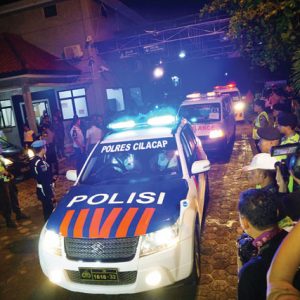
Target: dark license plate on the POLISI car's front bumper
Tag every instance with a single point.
(99, 274)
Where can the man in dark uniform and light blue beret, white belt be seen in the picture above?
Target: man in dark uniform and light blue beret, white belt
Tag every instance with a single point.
(43, 175)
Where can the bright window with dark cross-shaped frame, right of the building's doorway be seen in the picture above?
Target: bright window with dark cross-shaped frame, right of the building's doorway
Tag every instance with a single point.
(73, 102)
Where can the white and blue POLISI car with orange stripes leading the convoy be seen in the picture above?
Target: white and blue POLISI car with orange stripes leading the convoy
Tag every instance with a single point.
(132, 220)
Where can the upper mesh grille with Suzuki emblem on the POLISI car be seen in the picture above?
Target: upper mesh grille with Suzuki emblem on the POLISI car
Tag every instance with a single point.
(104, 250)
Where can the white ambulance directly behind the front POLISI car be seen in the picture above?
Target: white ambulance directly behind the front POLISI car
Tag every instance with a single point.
(212, 119)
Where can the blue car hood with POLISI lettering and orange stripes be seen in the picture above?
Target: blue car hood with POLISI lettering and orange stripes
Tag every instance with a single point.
(116, 211)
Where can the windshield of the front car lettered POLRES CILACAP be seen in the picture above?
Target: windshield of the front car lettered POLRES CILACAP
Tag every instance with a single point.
(133, 161)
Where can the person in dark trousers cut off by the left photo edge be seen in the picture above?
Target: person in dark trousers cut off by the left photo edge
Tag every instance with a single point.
(9, 195)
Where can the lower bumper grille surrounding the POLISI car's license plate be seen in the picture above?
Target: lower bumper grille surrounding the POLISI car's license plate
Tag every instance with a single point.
(124, 278)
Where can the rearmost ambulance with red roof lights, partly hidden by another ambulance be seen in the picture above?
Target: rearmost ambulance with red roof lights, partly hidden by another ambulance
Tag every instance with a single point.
(239, 106)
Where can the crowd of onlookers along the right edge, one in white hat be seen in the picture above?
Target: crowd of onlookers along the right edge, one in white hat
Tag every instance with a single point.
(268, 250)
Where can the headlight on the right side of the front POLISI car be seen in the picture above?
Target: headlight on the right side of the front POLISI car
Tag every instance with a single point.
(160, 240)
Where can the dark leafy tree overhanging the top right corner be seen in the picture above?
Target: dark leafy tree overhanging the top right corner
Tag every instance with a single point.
(267, 32)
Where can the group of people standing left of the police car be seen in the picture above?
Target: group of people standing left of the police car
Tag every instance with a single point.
(49, 147)
